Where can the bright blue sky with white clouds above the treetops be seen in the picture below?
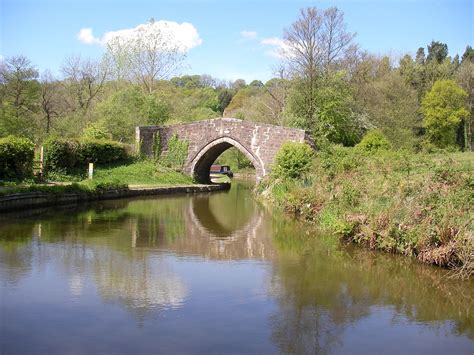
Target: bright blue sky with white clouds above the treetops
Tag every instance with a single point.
(226, 39)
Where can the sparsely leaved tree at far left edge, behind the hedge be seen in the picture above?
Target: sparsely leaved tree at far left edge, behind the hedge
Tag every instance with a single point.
(19, 96)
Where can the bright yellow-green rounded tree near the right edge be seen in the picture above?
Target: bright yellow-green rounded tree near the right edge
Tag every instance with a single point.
(444, 108)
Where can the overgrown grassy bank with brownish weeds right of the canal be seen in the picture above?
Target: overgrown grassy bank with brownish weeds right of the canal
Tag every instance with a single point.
(412, 204)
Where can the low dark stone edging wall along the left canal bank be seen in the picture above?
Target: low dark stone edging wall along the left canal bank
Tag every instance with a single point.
(72, 194)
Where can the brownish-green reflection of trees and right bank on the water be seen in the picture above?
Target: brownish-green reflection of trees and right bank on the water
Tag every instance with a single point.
(322, 287)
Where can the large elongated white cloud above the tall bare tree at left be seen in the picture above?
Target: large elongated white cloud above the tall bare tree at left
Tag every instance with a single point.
(183, 35)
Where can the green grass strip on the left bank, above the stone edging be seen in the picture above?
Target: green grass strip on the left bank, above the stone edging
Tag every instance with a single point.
(141, 173)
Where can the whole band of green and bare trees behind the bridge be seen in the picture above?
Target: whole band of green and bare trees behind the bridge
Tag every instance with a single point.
(326, 84)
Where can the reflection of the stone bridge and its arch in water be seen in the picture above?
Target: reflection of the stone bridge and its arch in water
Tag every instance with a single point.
(213, 229)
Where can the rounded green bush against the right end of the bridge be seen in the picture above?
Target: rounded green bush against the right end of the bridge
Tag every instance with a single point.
(293, 160)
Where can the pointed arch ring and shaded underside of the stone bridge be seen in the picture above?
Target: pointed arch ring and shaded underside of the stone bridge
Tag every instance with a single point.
(201, 163)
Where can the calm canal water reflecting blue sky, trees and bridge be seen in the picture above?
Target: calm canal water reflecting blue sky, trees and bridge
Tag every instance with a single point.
(213, 274)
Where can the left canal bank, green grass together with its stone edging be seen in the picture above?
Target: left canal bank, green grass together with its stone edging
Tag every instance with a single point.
(137, 178)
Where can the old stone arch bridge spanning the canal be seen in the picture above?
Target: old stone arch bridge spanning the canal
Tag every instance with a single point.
(208, 139)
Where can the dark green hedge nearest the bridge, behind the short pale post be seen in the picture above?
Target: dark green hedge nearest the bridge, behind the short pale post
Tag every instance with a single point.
(67, 155)
